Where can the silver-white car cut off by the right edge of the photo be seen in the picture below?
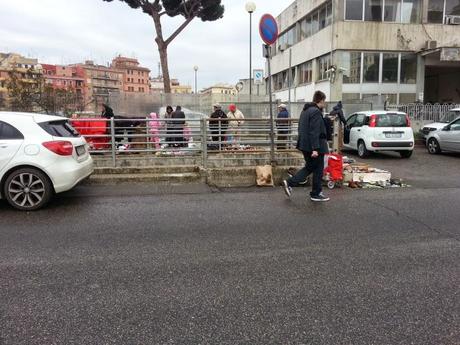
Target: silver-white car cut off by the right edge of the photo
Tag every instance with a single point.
(445, 139)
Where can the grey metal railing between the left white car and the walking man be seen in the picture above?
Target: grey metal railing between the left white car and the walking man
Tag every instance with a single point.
(179, 138)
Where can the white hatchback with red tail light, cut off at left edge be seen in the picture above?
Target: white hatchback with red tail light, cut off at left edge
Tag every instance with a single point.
(39, 155)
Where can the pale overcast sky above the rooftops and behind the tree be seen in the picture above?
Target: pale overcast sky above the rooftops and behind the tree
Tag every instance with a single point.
(70, 31)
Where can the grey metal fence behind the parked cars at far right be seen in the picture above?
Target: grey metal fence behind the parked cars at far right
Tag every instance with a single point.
(425, 112)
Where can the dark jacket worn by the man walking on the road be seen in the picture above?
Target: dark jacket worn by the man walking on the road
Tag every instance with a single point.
(312, 130)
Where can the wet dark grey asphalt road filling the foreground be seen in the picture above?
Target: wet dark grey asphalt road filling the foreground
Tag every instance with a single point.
(191, 265)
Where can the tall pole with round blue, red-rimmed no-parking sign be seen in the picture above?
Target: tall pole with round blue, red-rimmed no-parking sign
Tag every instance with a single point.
(268, 29)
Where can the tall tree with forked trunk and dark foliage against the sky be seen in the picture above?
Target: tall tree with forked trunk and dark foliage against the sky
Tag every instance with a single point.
(206, 10)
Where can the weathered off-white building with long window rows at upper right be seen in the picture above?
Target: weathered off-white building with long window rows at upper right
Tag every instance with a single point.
(401, 50)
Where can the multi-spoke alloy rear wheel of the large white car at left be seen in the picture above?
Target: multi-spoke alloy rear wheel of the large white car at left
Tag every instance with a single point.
(27, 189)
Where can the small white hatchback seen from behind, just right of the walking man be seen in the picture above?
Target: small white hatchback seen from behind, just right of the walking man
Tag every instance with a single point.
(376, 131)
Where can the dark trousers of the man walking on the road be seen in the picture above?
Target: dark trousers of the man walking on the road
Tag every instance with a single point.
(312, 165)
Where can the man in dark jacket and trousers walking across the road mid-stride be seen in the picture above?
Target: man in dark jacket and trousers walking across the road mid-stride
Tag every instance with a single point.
(312, 142)
